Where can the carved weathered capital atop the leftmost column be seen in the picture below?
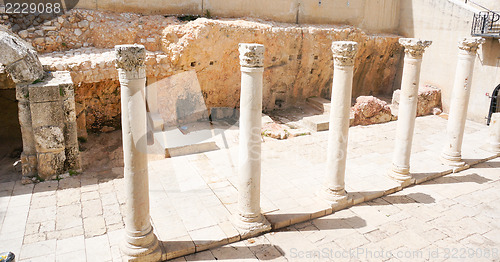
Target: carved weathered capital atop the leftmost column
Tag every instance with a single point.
(130, 57)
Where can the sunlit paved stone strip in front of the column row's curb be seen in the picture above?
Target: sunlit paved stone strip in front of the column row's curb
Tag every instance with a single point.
(455, 217)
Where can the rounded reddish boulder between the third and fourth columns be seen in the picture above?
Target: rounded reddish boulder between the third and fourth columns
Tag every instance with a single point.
(370, 110)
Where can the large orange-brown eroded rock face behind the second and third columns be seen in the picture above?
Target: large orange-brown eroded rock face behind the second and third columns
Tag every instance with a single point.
(298, 60)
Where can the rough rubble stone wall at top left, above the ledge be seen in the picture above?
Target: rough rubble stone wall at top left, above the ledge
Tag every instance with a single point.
(87, 28)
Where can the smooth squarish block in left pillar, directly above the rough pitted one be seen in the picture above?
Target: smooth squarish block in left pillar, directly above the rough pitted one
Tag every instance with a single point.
(47, 114)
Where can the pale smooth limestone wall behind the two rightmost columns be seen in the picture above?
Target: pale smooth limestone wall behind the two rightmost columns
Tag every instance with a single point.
(444, 22)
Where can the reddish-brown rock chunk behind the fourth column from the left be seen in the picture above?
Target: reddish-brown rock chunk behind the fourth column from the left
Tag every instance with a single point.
(429, 101)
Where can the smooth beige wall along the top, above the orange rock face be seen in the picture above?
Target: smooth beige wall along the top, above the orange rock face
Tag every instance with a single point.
(372, 15)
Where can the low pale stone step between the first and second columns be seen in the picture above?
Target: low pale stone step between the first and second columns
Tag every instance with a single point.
(173, 142)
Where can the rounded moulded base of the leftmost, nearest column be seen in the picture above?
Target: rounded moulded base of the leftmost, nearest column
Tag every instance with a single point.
(143, 248)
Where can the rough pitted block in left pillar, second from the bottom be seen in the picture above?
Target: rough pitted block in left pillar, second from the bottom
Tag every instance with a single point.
(49, 138)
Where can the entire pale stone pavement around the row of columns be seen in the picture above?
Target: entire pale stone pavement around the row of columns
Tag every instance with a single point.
(192, 197)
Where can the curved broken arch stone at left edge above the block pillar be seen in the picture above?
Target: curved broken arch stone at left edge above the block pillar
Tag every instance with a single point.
(18, 58)
